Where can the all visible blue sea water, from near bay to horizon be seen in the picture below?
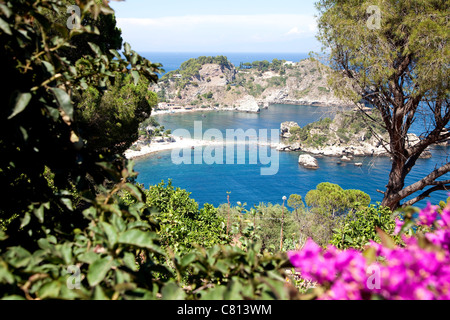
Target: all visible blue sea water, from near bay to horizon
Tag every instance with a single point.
(211, 183)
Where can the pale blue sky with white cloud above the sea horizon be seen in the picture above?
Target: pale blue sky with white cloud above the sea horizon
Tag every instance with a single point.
(218, 26)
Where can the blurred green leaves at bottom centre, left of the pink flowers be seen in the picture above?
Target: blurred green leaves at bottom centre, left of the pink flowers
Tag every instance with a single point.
(230, 273)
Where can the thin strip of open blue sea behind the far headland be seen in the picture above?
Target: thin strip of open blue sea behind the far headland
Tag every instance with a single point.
(172, 60)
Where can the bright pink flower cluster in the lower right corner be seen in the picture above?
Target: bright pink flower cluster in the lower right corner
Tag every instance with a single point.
(418, 271)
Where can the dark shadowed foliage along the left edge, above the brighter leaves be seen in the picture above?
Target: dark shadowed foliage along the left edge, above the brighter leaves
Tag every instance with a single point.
(38, 125)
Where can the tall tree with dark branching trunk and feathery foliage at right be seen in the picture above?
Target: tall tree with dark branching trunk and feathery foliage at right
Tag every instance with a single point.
(400, 67)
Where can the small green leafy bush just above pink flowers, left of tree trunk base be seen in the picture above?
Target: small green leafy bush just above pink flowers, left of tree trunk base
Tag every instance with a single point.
(360, 227)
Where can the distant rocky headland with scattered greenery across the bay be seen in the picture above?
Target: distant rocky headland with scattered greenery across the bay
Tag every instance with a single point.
(216, 82)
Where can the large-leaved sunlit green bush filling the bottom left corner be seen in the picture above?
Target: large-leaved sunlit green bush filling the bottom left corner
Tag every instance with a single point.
(113, 254)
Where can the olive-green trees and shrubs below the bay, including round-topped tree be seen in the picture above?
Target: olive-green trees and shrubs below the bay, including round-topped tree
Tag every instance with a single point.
(325, 210)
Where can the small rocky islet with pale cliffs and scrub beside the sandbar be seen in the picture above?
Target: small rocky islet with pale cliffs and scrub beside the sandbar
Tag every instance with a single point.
(348, 135)
